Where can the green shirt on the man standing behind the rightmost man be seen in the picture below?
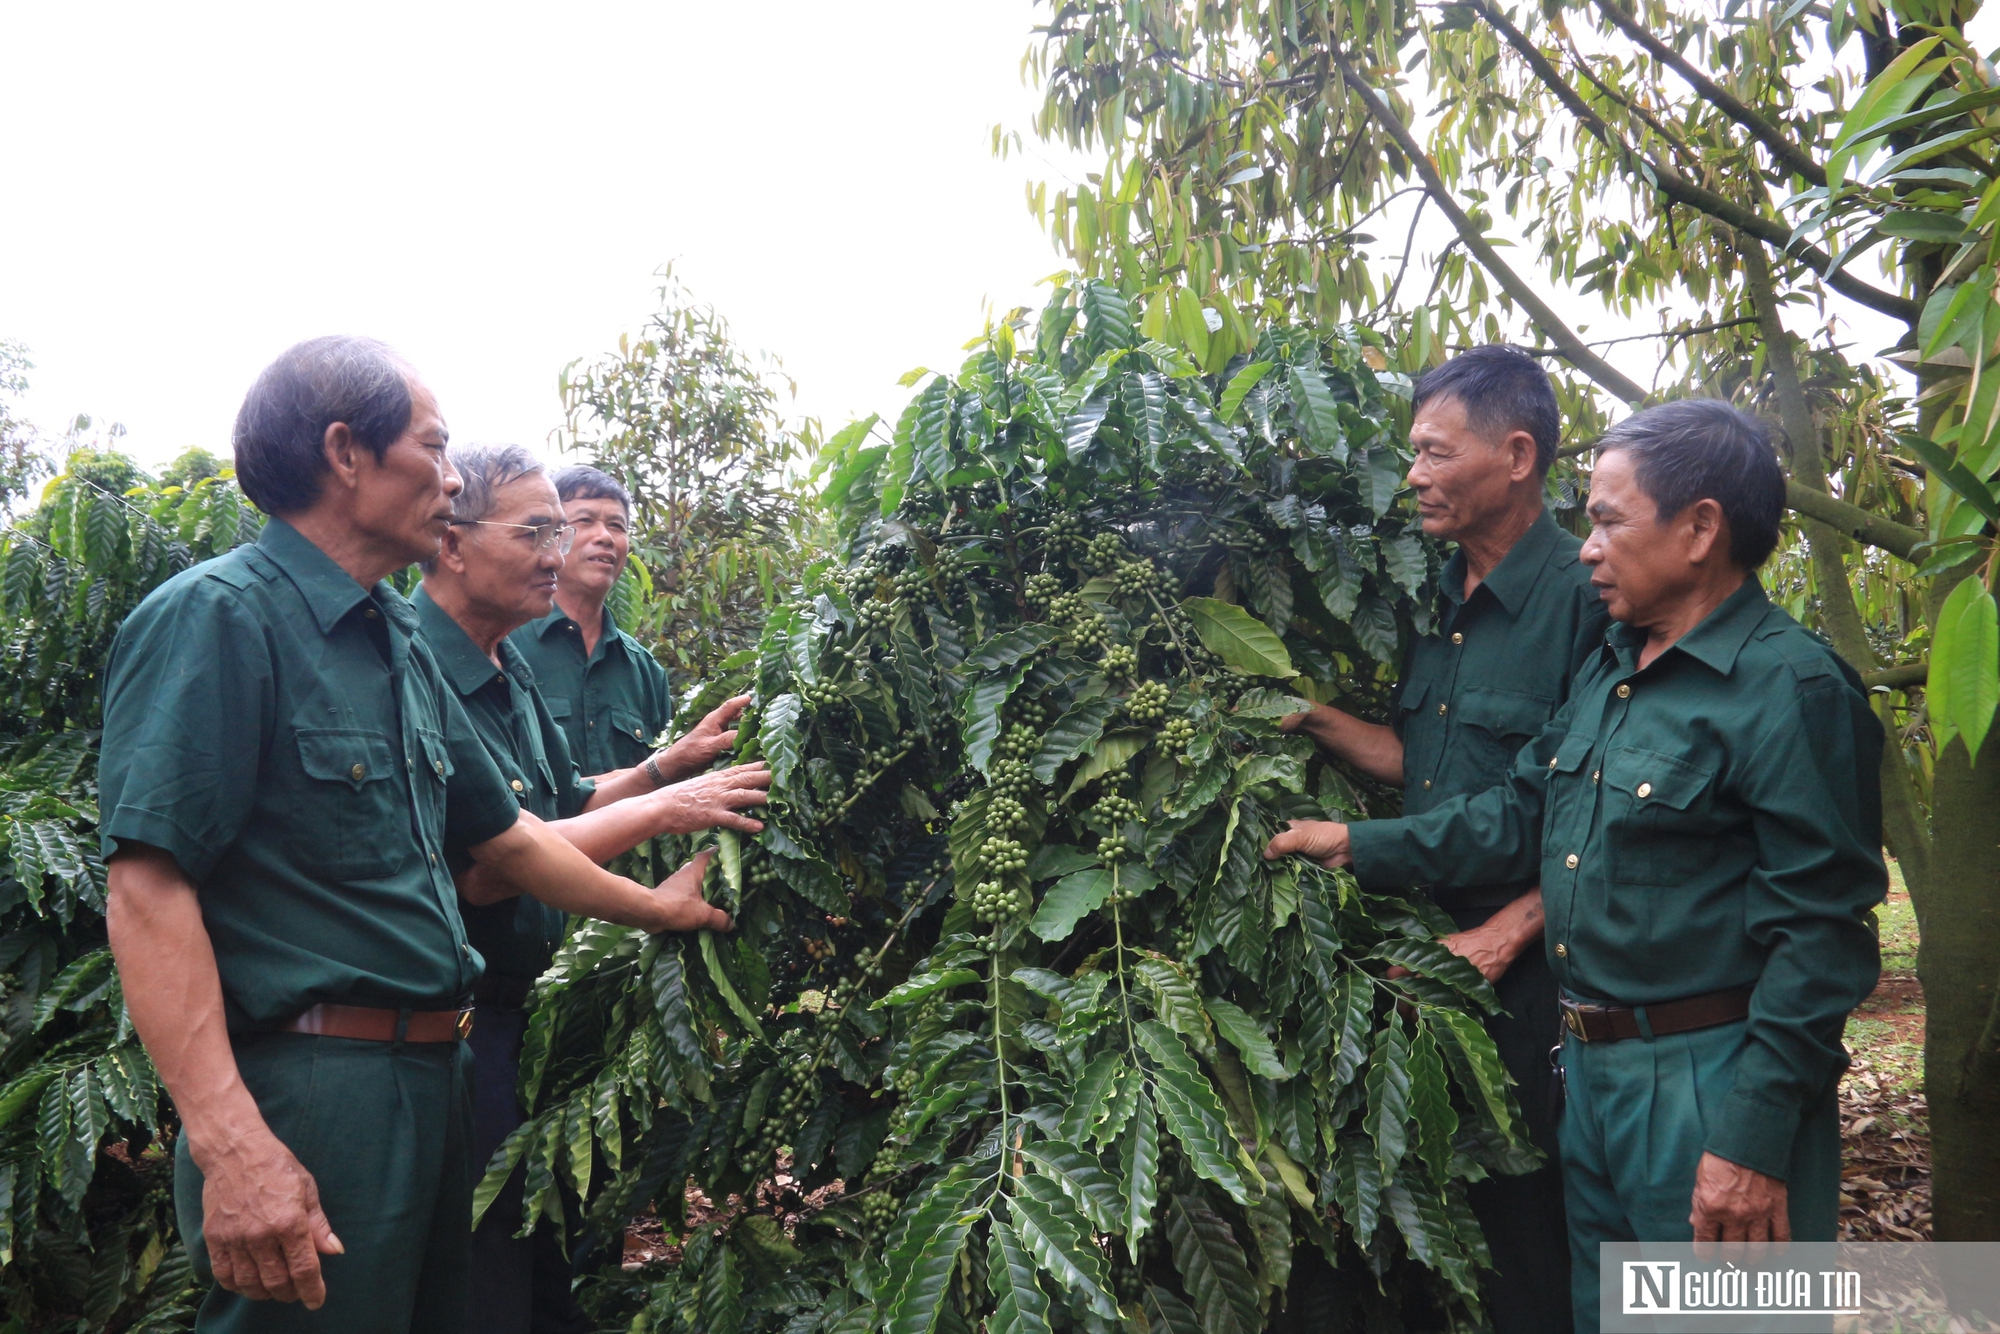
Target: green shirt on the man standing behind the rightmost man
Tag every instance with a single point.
(1493, 675)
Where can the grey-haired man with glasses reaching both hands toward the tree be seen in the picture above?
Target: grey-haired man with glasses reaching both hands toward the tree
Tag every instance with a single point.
(497, 571)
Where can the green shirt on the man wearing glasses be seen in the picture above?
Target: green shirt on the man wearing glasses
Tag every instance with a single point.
(519, 937)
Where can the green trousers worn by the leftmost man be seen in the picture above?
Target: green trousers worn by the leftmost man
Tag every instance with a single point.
(387, 1135)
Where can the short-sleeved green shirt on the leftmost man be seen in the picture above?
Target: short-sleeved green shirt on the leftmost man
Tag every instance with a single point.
(285, 735)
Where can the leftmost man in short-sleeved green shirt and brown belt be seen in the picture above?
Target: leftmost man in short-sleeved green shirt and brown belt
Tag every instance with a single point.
(285, 781)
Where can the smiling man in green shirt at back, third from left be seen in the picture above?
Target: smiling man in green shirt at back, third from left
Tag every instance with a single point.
(603, 687)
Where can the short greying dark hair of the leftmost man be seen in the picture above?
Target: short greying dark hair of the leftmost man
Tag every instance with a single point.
(281, 431)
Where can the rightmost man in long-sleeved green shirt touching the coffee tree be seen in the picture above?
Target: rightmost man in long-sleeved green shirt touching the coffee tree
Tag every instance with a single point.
(1705, 817)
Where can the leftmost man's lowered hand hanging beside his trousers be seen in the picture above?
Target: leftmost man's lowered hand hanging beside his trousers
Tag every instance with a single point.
(263, 1223)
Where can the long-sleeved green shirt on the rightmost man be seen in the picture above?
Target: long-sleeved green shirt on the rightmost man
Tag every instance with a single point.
(1707, 823)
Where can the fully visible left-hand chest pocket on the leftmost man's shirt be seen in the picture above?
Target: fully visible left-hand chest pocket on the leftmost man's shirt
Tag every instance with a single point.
(351, 823)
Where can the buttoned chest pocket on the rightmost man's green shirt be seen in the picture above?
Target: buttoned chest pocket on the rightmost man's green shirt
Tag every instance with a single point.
(1659, 821)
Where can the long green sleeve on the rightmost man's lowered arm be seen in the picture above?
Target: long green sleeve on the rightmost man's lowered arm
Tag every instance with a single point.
(1815, 807)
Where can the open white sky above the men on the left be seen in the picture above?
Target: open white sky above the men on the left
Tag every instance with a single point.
(491, 189)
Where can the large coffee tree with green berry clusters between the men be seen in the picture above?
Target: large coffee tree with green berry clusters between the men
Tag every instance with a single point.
(1019, 1027)
